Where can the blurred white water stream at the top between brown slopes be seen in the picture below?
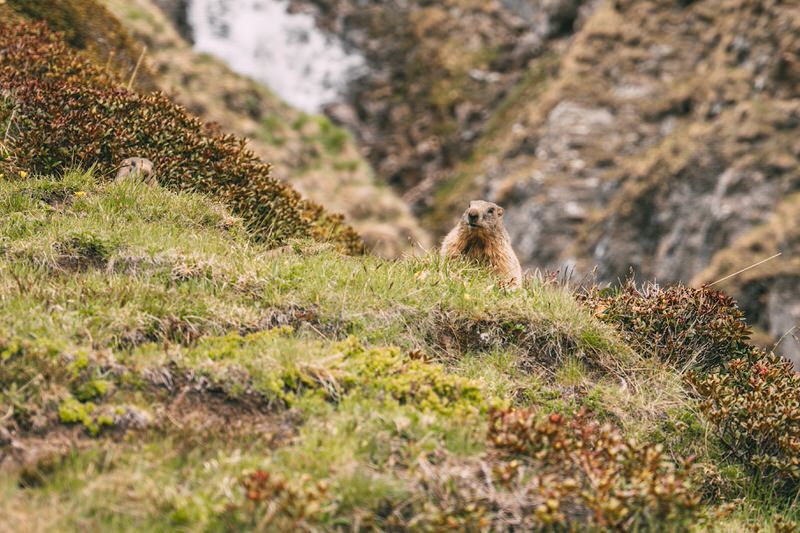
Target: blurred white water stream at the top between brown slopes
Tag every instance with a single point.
(286, 51)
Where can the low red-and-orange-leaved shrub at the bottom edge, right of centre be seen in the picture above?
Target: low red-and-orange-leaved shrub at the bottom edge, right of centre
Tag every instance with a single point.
(589, 473)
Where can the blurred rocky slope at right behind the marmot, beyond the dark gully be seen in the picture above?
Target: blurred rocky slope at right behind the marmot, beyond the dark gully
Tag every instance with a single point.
(666, 134)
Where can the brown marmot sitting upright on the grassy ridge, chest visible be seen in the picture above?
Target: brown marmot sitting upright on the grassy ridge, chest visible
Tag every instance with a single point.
(481, 235)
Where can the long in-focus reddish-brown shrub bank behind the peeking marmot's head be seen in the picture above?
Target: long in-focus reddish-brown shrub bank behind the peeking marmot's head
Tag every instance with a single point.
(68, 112)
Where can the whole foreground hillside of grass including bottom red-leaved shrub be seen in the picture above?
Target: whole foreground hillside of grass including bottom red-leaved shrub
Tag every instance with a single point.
(162, 369)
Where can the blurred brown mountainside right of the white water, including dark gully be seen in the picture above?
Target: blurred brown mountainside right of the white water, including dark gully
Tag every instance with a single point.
(623, 135)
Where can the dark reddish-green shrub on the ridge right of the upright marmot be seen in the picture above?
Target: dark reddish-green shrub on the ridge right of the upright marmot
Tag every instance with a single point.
(680, 325)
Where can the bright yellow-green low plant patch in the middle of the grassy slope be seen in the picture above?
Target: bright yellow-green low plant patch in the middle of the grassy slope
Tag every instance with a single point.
(354, 371)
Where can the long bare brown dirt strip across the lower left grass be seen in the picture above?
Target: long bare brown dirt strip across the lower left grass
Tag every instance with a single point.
(189, 408)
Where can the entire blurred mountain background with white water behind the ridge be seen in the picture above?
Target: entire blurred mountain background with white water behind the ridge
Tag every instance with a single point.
(653, 137)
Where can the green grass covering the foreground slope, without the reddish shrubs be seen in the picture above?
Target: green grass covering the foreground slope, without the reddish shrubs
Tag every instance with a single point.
(154, 355)
